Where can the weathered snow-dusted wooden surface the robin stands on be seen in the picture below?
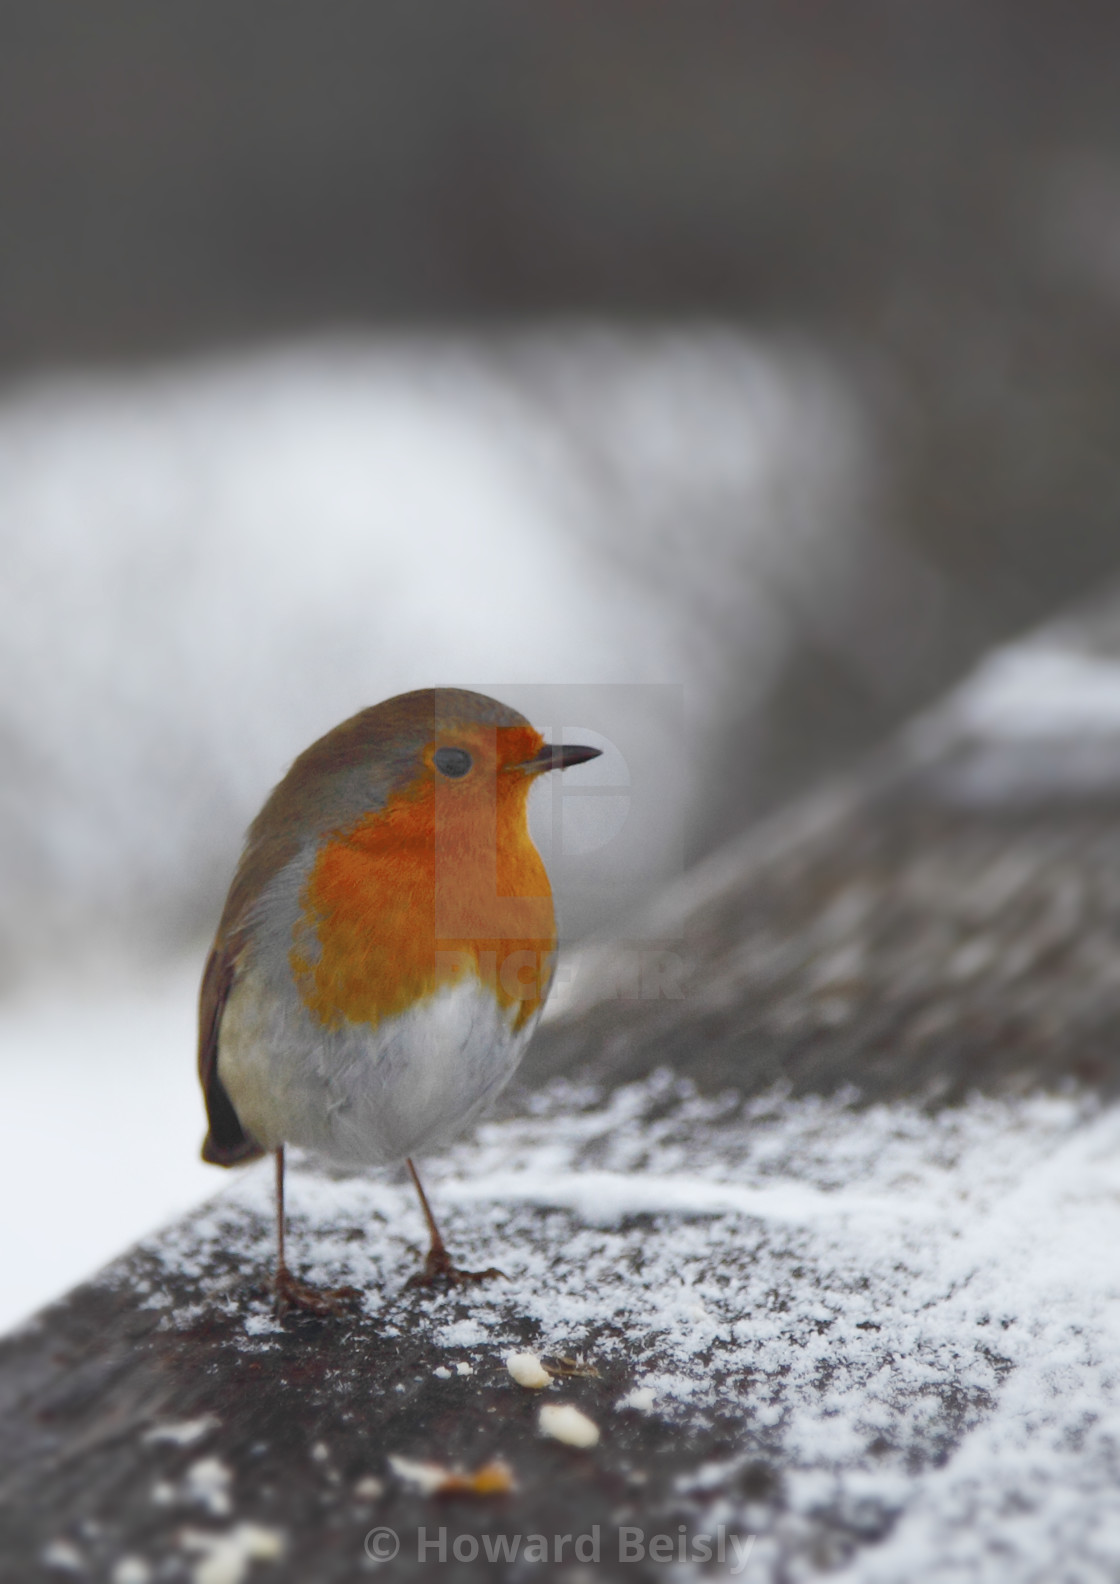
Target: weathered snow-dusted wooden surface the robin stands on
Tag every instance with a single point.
(921, 959)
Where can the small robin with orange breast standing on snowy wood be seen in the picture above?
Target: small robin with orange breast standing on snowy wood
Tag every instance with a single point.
(386, 950)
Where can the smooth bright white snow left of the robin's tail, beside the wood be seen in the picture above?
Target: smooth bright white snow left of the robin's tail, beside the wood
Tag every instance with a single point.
(101, 1127)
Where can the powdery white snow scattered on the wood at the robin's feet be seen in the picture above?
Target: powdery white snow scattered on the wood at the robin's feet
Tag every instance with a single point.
(935, 1358)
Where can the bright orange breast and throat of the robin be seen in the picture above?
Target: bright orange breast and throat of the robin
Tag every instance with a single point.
(441, 883)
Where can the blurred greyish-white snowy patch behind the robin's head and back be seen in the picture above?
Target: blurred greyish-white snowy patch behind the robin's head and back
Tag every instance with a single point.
(210, 565)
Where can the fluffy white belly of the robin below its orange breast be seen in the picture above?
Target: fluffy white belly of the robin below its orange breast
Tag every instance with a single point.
(360, 1095)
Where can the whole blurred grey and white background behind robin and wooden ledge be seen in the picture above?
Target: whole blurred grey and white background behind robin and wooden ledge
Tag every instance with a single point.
(763, 359)
